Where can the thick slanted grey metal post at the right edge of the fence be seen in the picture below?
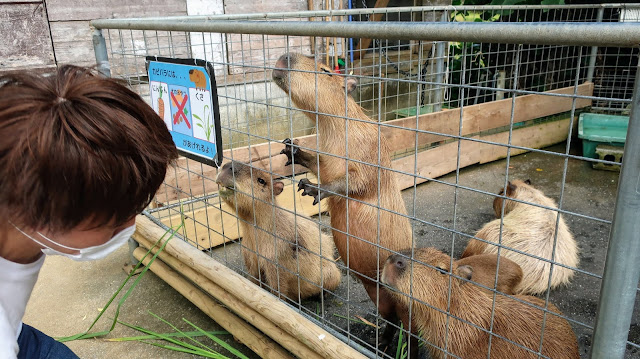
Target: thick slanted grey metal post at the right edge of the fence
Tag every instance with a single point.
(621, 272)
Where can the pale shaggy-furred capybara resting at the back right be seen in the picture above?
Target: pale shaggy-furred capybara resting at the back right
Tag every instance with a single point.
(529, 229)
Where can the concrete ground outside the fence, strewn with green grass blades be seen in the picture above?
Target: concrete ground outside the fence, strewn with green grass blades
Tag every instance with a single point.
(69, 294)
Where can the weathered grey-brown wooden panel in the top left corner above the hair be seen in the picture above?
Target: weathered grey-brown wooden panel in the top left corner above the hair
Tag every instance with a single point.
(24, 37)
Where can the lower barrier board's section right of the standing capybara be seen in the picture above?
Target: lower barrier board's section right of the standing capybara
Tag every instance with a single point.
(442, 160)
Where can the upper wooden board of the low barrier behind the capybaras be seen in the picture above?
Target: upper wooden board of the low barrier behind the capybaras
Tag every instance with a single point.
(179, 183)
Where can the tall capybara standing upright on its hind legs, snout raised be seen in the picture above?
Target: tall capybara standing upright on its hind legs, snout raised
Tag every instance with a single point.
(362, 233)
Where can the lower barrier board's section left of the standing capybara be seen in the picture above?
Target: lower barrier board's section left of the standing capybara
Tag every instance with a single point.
(221, 218)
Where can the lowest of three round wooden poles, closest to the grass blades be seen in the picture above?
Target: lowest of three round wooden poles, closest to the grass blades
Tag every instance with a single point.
(252, 338)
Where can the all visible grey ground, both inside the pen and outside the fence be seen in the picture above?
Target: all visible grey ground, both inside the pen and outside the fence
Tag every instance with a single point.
(68, 294)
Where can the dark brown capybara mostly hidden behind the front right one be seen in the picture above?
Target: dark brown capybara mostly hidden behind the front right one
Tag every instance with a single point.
(483, 269)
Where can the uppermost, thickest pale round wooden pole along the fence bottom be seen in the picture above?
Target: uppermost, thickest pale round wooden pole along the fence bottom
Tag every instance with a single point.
(316, 338)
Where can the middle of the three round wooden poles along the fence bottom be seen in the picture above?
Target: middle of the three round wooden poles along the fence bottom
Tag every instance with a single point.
(238, 307)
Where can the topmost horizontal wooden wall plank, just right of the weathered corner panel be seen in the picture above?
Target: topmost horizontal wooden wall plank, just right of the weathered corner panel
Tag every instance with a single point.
(73, 10)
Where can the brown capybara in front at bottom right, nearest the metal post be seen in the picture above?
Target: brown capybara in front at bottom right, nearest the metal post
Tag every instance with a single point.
(516, 321)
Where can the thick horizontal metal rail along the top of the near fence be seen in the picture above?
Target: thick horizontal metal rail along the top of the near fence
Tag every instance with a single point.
(580, 34)
